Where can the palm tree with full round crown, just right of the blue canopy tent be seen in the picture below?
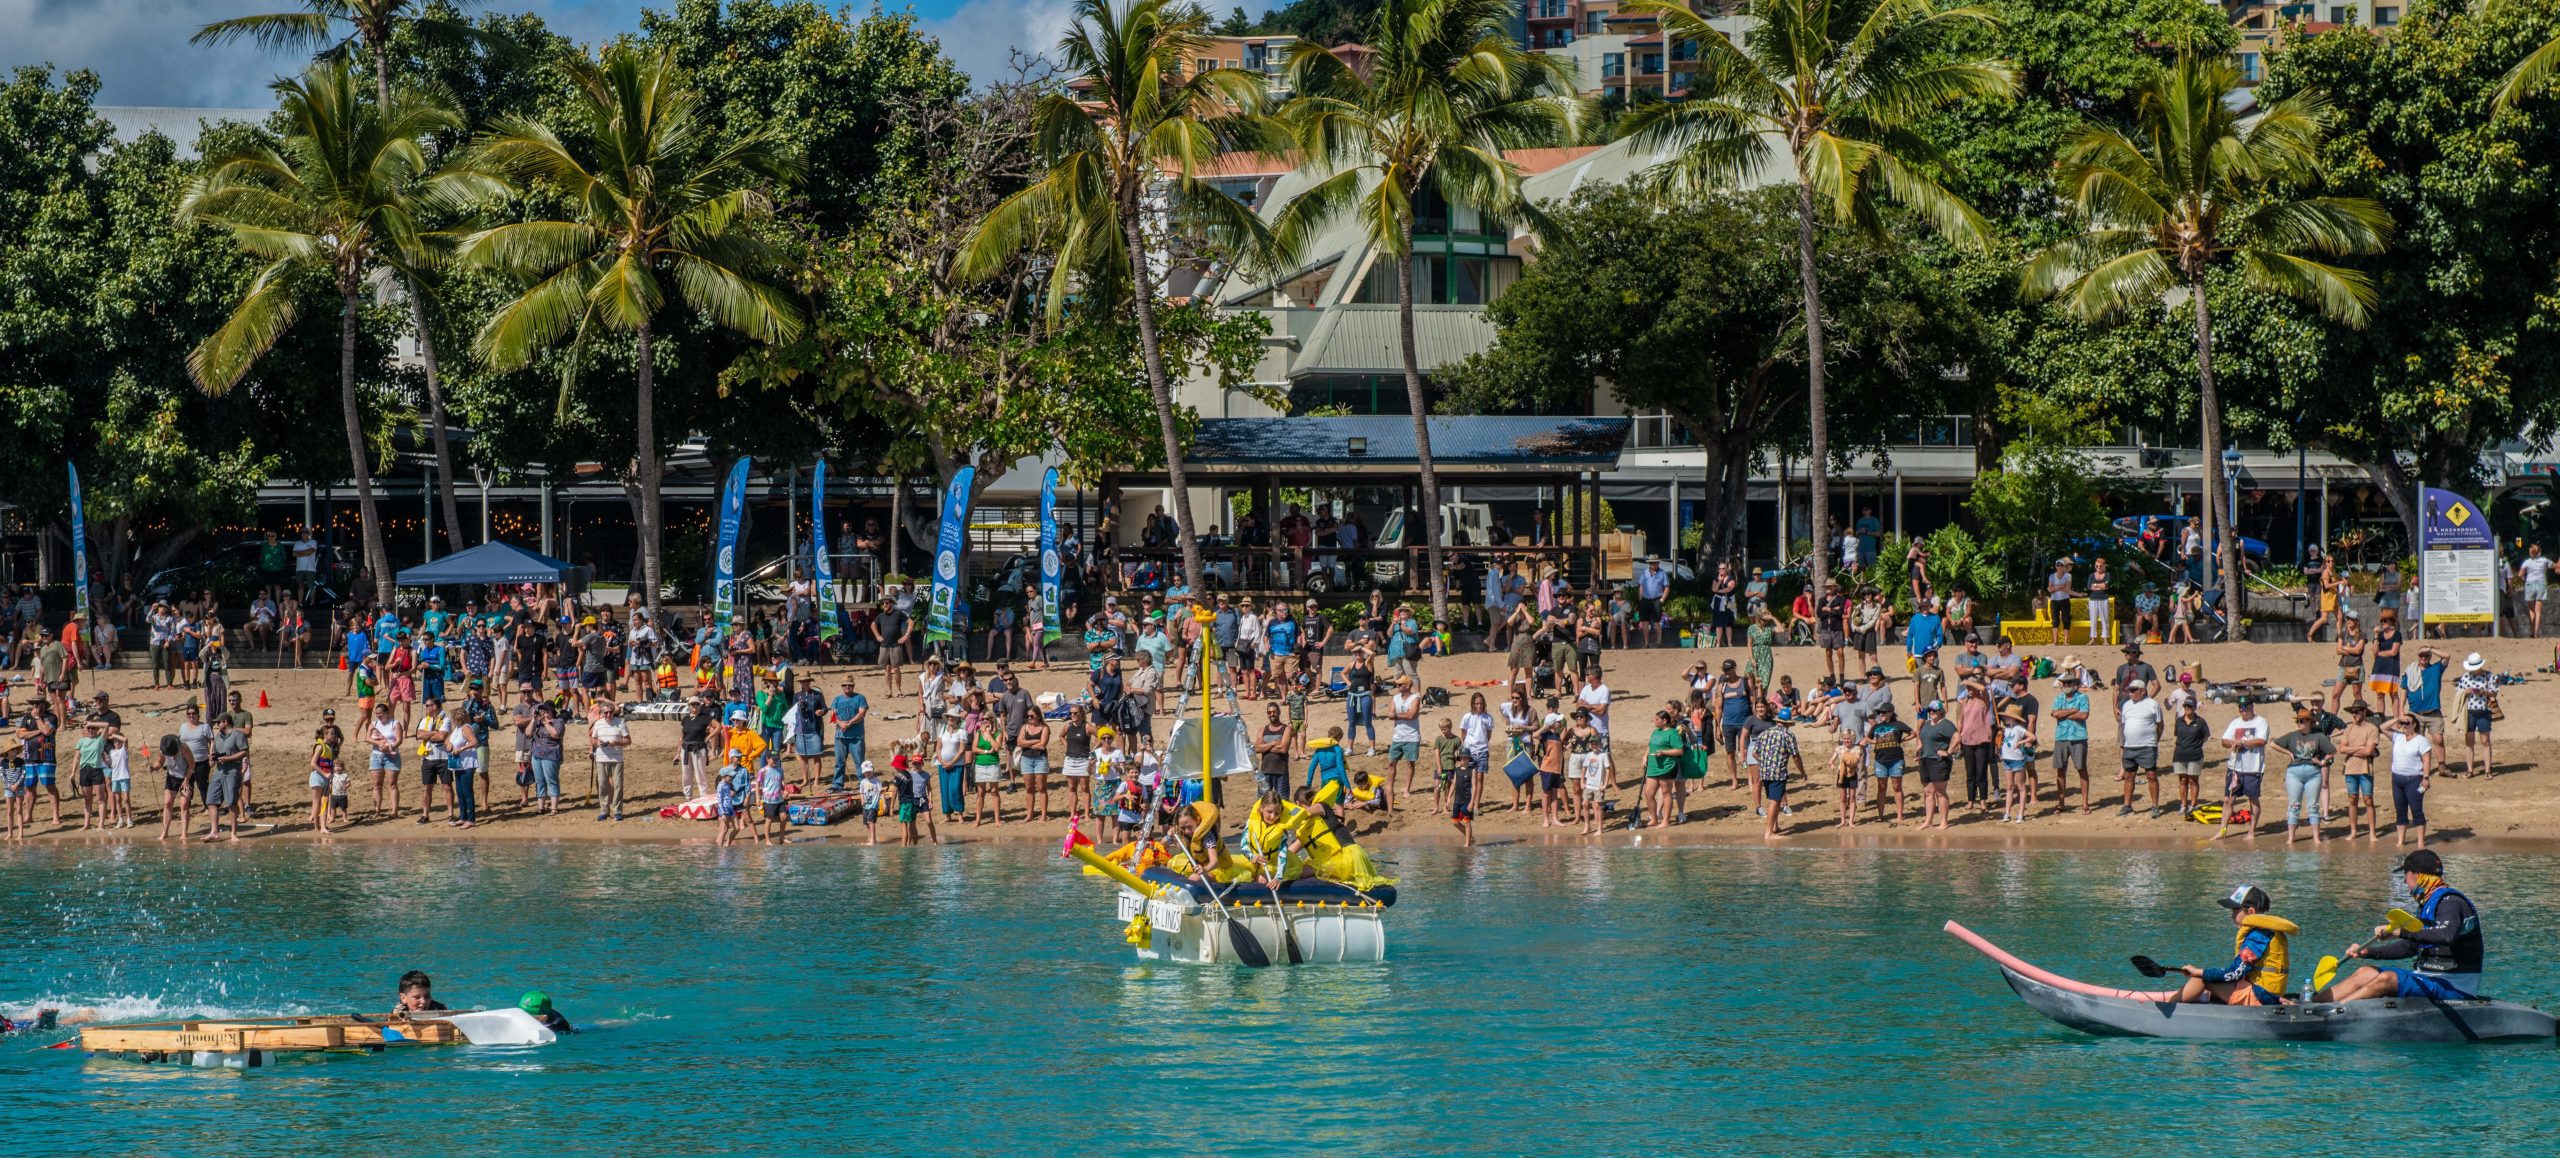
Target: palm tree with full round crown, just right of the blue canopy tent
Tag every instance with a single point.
(654, 191)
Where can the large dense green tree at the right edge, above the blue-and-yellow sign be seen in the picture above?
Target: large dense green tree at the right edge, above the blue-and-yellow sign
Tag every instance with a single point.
(2459, 350)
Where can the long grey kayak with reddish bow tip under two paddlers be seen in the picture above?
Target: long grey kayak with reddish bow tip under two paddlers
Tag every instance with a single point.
(2129, 1013)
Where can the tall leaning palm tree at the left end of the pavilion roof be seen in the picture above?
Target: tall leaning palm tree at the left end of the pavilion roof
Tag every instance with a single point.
(1120, 150)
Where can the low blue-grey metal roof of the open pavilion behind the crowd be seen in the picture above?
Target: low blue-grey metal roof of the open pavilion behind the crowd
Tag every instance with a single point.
(1455, 442)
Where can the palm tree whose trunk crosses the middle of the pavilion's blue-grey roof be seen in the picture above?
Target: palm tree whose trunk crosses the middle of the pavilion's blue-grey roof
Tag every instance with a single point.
(1430, 109)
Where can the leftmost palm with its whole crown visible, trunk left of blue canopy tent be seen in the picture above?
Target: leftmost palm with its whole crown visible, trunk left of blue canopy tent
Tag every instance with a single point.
(334, 199)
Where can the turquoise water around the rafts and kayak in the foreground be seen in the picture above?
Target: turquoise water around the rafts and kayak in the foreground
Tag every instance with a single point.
(977, 1000)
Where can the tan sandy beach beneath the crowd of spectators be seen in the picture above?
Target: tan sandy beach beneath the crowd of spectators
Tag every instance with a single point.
(2508, 811)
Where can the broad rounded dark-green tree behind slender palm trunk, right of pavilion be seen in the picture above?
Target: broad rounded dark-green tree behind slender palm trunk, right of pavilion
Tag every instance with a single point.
(1696, 314)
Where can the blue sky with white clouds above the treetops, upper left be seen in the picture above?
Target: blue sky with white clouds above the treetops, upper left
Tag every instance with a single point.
(142, 58)
